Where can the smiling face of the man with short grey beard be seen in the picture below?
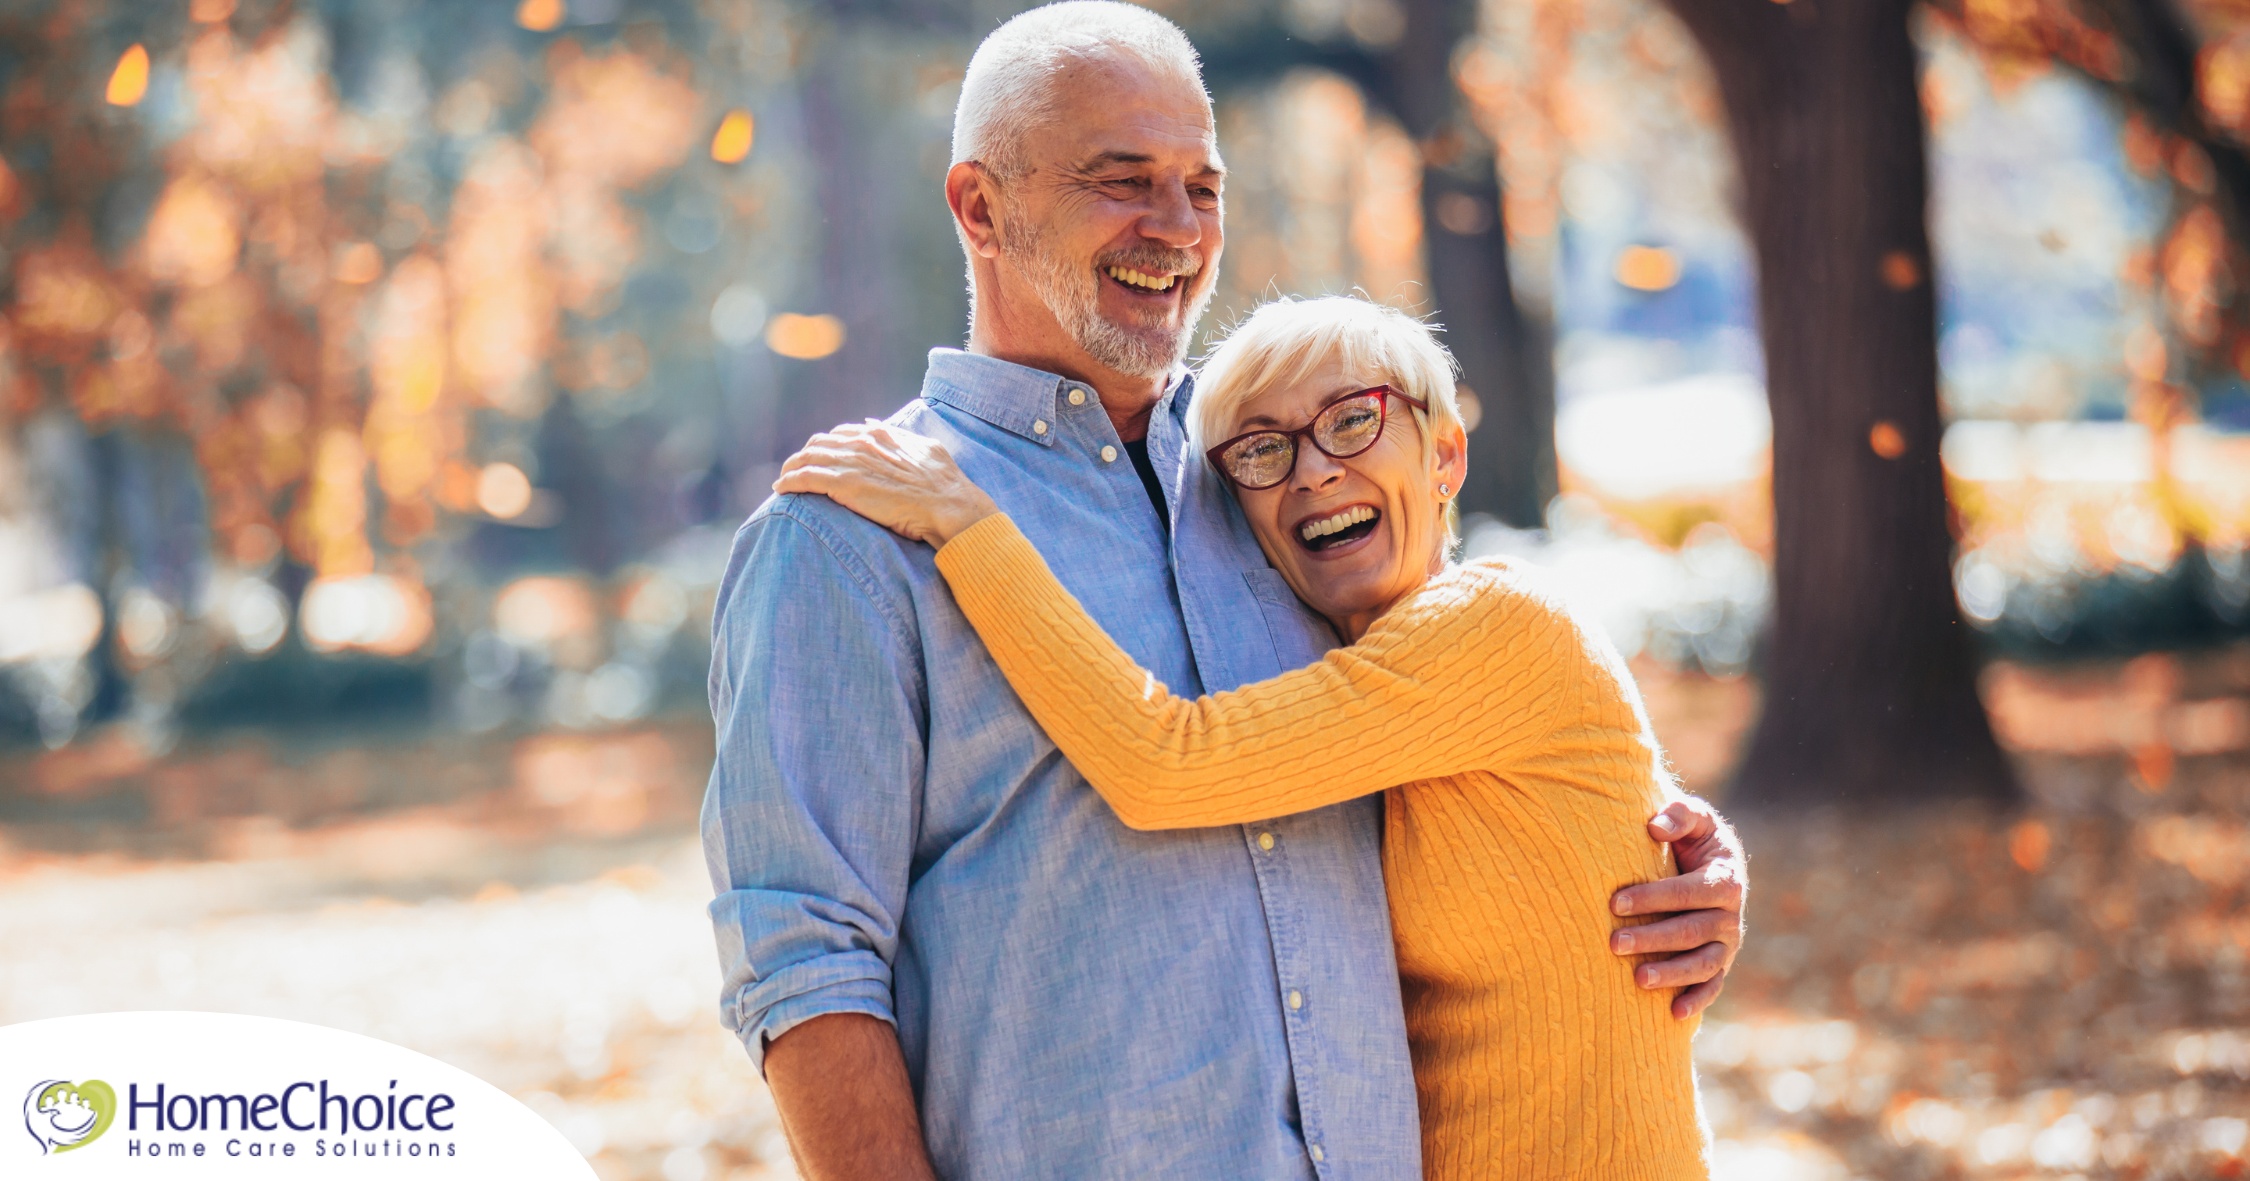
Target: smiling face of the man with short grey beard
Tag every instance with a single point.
(1117, 222)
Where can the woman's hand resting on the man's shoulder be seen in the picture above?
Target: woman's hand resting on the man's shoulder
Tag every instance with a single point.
(894, 478)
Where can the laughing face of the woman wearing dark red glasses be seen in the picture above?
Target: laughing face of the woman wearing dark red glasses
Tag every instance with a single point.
(1351, 537)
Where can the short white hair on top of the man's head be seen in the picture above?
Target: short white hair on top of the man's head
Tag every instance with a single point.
(1009, 89)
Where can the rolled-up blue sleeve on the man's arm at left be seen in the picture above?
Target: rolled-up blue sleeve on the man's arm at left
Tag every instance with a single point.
(816, 793)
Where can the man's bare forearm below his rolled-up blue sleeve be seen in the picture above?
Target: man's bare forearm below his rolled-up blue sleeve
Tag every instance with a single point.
(845, 1101)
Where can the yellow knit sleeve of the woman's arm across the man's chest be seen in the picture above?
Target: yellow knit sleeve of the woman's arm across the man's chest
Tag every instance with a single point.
(1468, 674)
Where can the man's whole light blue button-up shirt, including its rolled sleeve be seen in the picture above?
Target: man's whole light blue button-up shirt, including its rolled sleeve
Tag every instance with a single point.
(890, 831)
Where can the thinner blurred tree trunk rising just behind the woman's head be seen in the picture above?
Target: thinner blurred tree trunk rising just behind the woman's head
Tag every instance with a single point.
(1506, 357)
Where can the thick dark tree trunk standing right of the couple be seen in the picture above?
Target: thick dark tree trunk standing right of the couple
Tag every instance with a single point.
(1871, 685)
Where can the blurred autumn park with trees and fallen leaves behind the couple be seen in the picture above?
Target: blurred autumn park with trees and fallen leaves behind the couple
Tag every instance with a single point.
(381, 384)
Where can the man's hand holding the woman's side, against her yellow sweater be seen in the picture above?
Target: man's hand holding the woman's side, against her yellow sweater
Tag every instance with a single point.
(1702, 905)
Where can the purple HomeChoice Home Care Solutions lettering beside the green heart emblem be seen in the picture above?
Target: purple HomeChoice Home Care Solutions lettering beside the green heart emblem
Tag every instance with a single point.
(372, 1124)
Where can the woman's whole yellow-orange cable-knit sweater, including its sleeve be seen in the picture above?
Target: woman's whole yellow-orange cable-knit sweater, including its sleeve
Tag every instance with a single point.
(1527, 775)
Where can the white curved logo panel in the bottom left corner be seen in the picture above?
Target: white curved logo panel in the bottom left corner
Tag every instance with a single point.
(244, 1099)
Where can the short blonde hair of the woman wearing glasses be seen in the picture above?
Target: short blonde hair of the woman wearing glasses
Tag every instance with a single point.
(1288, 339)
